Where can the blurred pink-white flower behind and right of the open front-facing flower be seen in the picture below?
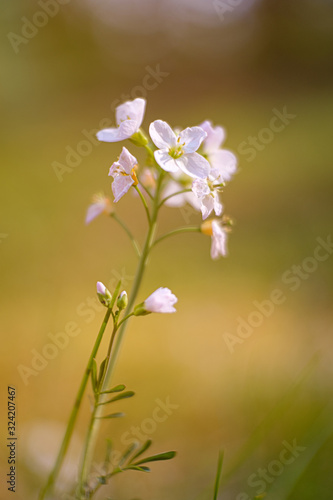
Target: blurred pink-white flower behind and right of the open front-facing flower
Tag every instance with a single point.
(224, 162)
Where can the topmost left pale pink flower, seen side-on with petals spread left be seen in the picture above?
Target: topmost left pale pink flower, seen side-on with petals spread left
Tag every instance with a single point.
(129, 117)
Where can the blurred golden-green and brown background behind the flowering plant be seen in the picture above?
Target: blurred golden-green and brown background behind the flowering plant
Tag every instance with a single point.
(233, 63)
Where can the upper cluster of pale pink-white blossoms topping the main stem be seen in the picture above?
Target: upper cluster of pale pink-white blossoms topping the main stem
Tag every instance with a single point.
(197, 167)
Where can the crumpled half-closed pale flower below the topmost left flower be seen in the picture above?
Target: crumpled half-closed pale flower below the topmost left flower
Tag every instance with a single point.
(123, 173)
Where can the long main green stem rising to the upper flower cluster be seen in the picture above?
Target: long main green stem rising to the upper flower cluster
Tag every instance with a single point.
(93, 432)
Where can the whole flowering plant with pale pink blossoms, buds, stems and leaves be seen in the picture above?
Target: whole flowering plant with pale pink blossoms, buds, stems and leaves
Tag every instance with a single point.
(186, 166)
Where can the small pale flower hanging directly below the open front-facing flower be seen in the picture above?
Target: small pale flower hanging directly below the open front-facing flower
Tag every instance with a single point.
(208, 194)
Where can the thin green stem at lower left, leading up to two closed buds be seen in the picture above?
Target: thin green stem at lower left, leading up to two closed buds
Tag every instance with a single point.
(72, 419)
